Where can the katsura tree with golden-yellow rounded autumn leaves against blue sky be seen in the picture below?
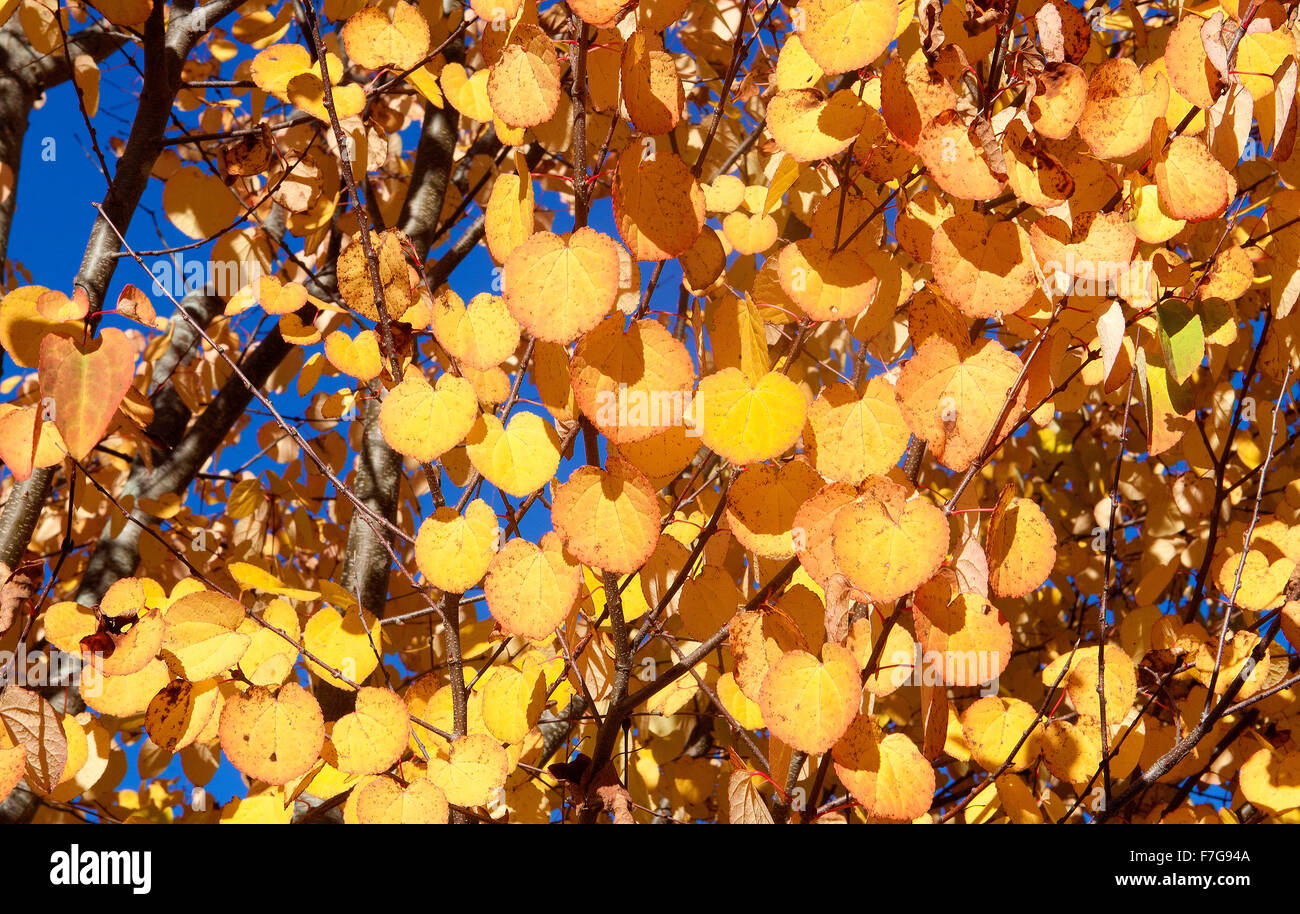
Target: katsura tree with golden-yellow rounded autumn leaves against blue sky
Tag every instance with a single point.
(665, 410)
